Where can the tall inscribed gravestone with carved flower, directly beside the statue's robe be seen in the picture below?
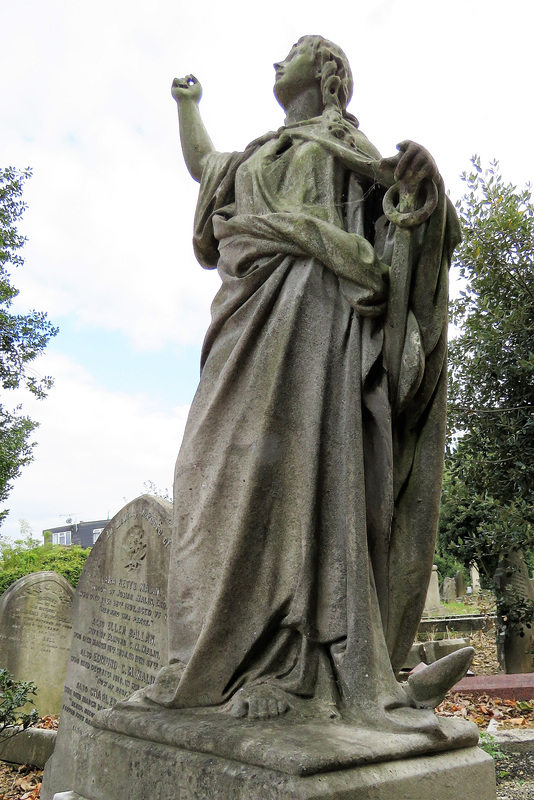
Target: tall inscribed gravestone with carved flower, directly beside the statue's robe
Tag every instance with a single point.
(119, 627)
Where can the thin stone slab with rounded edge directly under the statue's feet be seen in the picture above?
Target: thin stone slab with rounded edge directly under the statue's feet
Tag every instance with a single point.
(296, 746)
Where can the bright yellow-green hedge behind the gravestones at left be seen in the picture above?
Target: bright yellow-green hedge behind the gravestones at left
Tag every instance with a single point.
(25, 556)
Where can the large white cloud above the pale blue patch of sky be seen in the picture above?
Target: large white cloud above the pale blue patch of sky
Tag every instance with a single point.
(111, 204)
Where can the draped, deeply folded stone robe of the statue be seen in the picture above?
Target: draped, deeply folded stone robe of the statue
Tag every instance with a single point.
(305, 504)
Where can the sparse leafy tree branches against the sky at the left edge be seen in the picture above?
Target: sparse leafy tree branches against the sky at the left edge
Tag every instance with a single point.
(23, 337)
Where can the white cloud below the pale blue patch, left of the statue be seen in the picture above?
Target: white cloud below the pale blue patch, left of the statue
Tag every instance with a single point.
(95, 450)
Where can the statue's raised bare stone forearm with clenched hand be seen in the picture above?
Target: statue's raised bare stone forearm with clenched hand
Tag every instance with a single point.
(196, 144)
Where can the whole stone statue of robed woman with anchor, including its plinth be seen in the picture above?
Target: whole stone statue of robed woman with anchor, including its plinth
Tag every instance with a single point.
(307, 486)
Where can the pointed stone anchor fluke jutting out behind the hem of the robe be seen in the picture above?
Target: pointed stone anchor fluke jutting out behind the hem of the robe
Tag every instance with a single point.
(427, 688)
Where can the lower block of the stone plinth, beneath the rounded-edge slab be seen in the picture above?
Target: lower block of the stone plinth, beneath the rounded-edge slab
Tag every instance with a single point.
(118, 767)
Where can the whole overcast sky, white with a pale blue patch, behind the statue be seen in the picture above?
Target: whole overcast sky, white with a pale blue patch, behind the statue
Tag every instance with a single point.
(85, 98)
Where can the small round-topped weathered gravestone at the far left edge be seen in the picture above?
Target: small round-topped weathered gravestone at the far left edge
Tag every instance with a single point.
(35, 634)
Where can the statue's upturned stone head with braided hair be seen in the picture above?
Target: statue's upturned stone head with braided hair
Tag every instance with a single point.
(314, 60)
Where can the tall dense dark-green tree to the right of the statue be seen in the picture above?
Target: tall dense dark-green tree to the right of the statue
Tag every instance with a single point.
(488, 499)
